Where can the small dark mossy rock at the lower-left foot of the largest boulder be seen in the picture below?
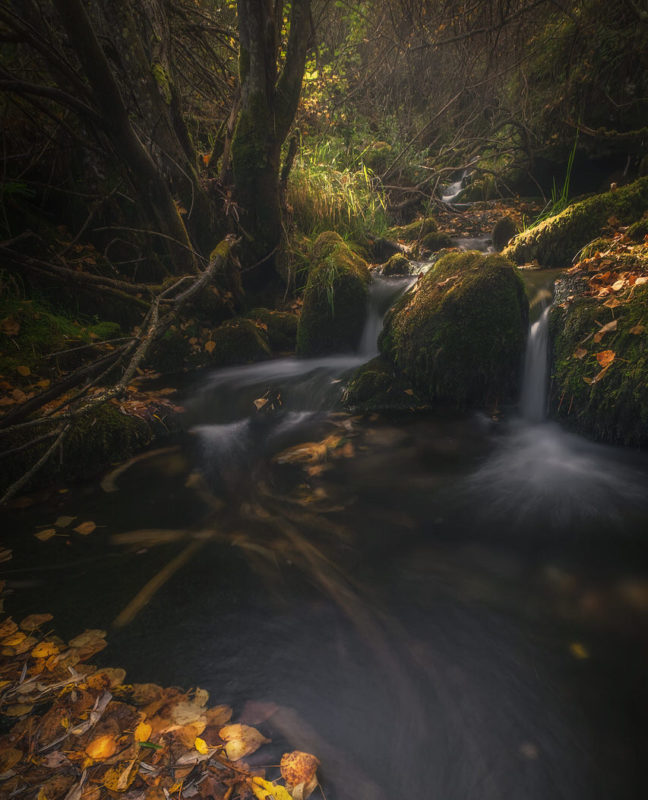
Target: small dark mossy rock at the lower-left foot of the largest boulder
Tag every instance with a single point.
(377, 387)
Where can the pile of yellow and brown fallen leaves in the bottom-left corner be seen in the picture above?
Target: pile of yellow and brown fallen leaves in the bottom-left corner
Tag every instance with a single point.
(75, 732)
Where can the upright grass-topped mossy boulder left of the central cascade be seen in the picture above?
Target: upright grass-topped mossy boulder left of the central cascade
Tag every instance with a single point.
(335, 299)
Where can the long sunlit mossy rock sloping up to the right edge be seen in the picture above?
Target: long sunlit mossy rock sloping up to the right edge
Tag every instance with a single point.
(555, 241)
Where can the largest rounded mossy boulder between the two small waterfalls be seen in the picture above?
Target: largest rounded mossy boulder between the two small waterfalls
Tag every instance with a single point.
(460, 336)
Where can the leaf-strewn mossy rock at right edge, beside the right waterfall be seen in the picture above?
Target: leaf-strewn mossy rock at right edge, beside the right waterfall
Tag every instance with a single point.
(614, 408)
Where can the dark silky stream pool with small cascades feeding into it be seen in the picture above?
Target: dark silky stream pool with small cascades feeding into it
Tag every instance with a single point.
(452, 606)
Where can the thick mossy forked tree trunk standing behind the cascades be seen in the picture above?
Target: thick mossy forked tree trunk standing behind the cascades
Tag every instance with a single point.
(269, 99)
